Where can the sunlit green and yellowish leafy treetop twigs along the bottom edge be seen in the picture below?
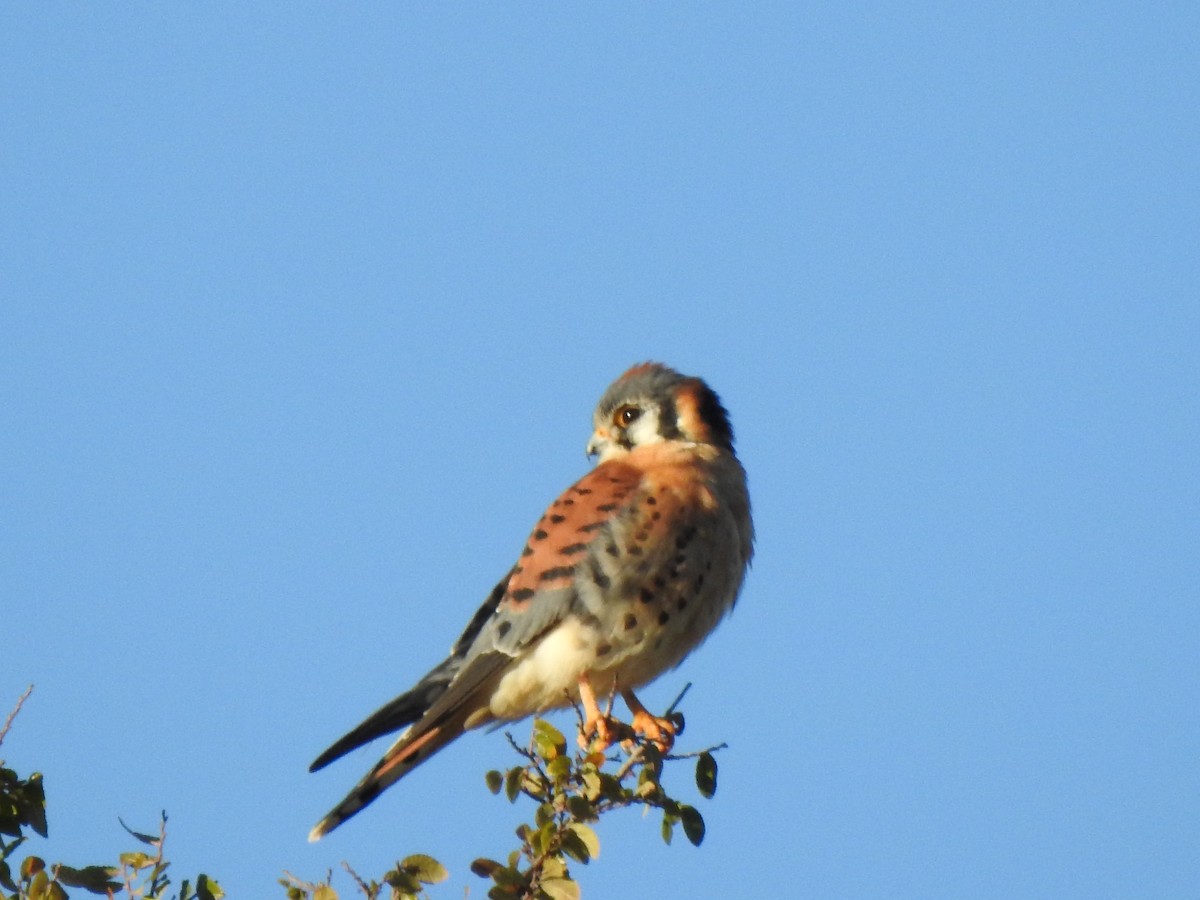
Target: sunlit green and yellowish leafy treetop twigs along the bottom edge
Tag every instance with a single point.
(571, 793)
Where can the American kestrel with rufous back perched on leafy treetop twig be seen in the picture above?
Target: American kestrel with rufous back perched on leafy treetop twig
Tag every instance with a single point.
(623, 577)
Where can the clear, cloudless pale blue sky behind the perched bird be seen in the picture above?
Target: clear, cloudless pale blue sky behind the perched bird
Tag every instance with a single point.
(304, 315)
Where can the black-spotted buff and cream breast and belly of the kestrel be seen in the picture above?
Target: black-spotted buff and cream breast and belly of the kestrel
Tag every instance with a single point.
(655, 583)
